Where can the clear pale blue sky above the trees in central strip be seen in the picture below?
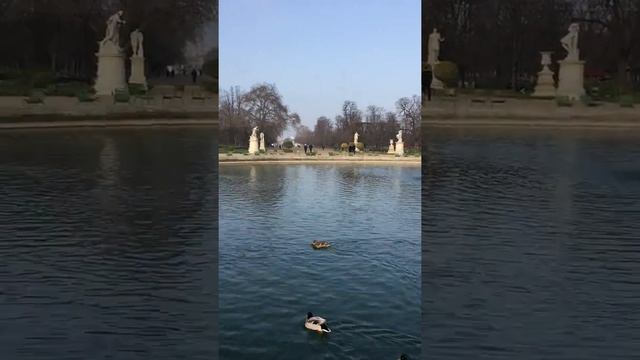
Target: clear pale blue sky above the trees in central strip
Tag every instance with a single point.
(320, 53)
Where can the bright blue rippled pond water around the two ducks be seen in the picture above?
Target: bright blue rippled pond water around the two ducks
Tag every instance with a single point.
(367, 285)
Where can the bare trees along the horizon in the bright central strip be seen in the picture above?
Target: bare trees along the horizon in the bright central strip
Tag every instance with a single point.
(263, 106)
